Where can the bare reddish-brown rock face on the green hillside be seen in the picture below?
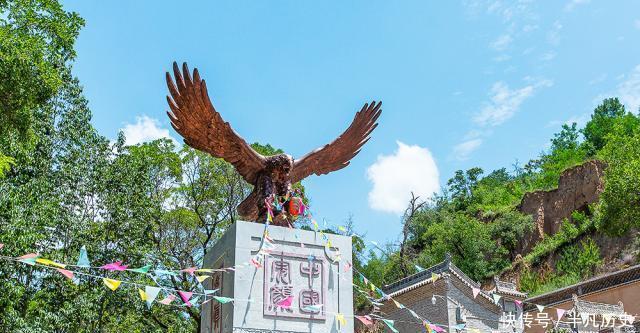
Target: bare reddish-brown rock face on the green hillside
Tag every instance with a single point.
(577, 188)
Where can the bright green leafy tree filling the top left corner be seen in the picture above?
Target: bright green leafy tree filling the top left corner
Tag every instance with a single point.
(36, 47)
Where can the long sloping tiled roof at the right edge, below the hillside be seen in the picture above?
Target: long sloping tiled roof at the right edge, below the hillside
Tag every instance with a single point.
(622, 277)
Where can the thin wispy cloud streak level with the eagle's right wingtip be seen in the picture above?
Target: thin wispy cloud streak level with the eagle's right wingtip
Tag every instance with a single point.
(505, 102)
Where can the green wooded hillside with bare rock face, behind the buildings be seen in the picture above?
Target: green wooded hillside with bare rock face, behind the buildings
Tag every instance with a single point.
(564, 216)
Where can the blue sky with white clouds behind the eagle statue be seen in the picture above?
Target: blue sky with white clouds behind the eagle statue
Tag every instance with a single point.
(463, 83)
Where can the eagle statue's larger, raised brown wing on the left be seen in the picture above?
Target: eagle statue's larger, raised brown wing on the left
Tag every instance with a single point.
(194, 117)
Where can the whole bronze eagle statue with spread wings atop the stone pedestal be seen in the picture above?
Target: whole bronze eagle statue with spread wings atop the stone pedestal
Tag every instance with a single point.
(194, 117)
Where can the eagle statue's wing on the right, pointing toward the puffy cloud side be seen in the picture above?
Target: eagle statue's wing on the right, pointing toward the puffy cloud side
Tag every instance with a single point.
(337, 154)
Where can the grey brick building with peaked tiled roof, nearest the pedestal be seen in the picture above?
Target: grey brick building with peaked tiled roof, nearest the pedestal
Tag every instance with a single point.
(449, 301)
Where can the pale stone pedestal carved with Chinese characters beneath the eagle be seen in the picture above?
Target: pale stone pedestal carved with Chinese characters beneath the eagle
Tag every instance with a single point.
(299, 266)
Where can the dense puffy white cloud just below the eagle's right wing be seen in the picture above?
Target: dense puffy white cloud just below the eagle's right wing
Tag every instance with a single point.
(394, 177)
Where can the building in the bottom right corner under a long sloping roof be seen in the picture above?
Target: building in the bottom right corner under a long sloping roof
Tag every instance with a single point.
(601, 304)
